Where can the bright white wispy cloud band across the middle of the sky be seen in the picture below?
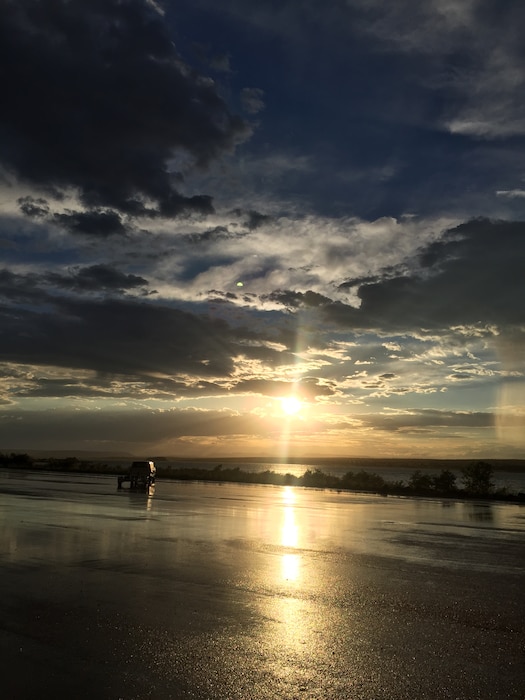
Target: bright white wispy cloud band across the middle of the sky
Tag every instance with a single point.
(310, 253)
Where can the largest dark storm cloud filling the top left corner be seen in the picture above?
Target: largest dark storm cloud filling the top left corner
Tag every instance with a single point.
(96, 98)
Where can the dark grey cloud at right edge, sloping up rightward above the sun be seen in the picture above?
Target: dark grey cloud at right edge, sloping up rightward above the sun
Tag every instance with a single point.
(473, 275)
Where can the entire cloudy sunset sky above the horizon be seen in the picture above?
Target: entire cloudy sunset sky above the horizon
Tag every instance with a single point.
(275, 229)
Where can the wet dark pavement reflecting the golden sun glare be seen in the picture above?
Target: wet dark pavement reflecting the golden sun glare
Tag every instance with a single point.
(212, 591)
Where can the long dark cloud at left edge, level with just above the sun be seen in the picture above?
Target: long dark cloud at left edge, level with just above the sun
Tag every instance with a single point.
(122, 337)
